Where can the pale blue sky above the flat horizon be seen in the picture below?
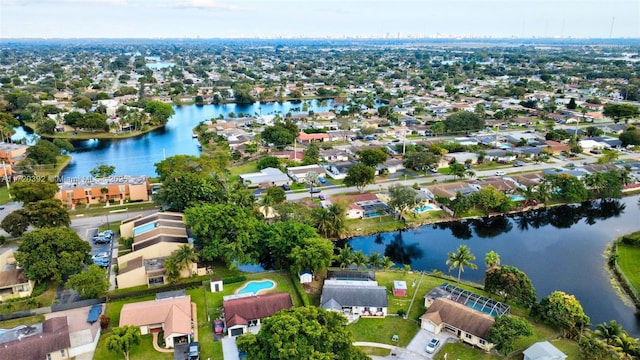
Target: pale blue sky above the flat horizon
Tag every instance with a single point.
(311, 18)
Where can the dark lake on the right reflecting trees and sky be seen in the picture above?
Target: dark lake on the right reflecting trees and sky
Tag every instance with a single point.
(560, 248)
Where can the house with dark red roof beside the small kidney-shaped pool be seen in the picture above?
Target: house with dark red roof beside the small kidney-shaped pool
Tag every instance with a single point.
(242, 312)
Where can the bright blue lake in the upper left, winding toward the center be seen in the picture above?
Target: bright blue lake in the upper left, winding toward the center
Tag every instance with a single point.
(137, 156)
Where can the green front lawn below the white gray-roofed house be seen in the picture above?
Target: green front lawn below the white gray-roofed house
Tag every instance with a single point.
(382, 330)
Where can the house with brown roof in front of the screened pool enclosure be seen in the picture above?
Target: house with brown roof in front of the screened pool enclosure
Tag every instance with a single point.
(469, 325)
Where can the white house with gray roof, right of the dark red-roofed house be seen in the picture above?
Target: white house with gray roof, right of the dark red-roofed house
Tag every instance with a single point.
(355, 298)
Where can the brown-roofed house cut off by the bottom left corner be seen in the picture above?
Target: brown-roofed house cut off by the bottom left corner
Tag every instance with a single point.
(46, 340)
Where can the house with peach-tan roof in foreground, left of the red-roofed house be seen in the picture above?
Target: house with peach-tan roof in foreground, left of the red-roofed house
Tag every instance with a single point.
(172, 315)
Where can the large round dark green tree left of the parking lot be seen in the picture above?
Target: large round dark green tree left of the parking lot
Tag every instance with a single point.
(52, 254)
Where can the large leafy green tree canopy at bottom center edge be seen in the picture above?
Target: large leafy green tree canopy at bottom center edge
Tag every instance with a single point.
(302, 333)
